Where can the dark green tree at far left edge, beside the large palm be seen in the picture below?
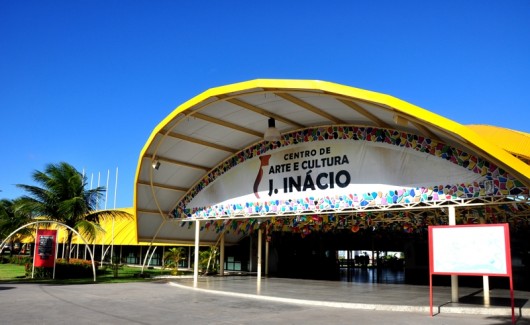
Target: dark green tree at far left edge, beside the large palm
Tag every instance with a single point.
(12, 218)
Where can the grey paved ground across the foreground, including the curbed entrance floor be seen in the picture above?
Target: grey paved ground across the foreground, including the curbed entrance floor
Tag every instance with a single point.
(176, 302)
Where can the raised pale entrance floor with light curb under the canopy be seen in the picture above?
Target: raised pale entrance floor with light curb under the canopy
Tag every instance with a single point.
(371, 296)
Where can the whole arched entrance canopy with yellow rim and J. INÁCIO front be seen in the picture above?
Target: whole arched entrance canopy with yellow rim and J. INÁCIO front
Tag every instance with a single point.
(208, 160)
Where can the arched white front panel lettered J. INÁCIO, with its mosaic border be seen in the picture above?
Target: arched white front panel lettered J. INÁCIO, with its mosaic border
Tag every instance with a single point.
(489, 180)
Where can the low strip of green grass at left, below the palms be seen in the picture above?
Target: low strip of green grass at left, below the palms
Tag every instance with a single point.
(15, 273)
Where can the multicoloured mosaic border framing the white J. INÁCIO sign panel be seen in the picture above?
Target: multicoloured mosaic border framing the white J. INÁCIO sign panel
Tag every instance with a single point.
(497, 181)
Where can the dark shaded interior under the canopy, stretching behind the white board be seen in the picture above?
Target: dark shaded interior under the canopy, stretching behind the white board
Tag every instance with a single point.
(392, 257)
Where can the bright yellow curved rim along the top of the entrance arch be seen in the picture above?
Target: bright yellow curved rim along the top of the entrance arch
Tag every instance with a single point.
(466, 136)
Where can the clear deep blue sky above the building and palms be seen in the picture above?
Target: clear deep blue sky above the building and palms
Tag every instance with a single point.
(86, 82)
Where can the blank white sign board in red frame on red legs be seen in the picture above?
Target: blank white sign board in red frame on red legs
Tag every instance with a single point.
(473, 250)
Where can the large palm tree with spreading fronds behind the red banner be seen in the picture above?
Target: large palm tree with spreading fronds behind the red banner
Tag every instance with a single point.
(63, 197)
